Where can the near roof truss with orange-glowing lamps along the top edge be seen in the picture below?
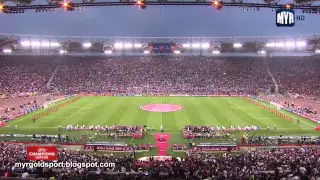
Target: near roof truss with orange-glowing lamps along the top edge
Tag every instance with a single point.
(21, 5)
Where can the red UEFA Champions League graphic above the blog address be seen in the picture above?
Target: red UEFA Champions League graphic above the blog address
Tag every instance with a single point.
(42, 153)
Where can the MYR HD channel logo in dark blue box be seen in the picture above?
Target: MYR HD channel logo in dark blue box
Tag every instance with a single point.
(287, 17)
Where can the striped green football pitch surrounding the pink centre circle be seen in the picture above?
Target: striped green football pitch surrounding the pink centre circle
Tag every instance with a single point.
(215, 111)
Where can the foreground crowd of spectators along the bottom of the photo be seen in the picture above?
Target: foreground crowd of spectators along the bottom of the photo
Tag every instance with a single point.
(292, 163)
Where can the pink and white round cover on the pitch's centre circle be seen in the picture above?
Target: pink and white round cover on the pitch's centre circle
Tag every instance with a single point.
(161, 107)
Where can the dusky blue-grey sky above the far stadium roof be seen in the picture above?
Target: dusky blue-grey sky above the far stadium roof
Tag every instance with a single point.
(155, 21)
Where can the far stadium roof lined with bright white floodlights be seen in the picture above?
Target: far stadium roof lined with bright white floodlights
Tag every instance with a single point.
(81, 44)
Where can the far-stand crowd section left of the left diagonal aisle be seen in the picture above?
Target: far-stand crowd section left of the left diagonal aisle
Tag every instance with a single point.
(27, 74)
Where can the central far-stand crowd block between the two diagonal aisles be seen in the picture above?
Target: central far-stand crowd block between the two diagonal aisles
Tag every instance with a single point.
(162, 75)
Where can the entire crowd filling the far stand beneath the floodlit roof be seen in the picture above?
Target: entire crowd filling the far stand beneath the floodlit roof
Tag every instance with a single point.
(23, 74)
